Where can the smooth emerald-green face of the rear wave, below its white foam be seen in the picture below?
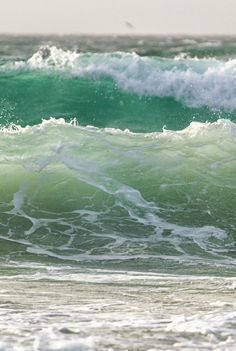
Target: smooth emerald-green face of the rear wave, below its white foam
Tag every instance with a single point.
(27, 97)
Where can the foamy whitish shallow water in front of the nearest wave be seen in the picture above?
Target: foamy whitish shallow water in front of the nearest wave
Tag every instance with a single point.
(112, 311)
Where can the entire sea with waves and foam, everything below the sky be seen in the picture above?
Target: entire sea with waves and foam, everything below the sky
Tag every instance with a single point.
(118, 193)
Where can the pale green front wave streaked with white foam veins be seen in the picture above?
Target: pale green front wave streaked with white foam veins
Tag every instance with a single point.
(86, 194)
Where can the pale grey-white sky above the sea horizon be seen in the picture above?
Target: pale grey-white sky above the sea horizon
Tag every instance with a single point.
(111, 16)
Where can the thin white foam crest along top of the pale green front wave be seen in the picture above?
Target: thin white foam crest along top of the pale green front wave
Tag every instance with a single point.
(208, 131)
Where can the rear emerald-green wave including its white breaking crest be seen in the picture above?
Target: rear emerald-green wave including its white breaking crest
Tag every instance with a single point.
(122, 90)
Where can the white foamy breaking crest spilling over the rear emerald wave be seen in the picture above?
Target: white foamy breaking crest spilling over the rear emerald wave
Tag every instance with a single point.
(195, 82)
